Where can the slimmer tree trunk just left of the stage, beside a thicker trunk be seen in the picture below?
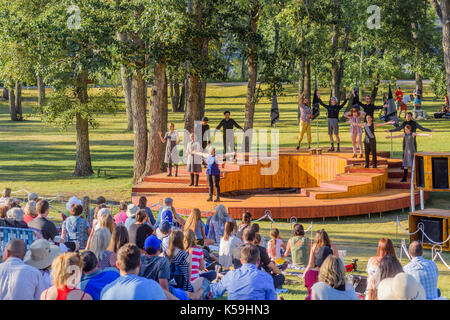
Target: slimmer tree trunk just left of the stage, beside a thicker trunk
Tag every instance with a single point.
(138, 102)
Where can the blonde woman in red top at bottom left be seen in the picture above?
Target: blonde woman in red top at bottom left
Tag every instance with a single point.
(66, 273)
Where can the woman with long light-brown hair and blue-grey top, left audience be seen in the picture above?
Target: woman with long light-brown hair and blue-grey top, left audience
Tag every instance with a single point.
(99, 246)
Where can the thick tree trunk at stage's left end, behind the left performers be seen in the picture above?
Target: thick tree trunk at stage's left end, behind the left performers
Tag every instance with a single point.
(158, 108)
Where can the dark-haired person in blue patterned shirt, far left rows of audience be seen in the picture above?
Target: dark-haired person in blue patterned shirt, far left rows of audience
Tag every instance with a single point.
(75, 227)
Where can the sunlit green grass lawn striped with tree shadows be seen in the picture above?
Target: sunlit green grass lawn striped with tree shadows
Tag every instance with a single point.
(41, 158)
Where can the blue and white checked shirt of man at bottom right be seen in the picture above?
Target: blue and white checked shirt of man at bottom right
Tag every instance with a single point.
(425, 272)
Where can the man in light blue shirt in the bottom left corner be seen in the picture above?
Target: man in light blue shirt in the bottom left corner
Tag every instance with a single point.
(18, 281)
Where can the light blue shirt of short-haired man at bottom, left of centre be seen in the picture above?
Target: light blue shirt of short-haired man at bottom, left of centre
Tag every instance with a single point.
(132, 287)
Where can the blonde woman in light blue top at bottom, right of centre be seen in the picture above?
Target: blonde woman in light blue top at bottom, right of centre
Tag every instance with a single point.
(332, 283)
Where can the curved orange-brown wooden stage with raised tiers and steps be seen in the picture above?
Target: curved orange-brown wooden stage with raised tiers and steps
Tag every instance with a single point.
(305, 186)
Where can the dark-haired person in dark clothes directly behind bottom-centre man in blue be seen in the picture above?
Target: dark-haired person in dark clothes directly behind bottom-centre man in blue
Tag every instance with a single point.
(265, 262)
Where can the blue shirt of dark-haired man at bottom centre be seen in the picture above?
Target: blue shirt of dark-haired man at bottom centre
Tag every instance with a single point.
(245, 283)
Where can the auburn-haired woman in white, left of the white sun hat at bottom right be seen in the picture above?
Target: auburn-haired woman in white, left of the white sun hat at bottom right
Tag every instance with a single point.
(385, 247)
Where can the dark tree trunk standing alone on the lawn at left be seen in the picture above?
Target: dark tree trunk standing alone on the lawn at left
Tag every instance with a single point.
(83, 167)
